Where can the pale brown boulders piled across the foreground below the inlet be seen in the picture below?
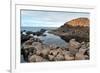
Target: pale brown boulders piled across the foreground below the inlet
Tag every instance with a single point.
(33, 50)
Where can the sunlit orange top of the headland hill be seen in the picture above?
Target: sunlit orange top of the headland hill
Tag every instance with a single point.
(82, 22)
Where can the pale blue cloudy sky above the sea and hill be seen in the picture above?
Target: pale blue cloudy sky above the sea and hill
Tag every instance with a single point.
(33, 18)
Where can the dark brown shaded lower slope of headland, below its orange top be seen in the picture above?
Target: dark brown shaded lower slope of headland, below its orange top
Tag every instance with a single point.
(79, 33)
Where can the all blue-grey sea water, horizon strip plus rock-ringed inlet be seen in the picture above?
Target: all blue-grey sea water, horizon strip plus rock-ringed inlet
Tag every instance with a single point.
(49, 39)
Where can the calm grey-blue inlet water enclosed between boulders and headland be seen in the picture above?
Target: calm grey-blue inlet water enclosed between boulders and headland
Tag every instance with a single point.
(51, 39)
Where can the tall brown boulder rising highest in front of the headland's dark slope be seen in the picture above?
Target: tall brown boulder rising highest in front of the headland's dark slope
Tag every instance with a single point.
(74, 46)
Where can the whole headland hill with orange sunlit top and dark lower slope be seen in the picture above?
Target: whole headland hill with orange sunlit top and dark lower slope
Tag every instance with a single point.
(76, 28)
